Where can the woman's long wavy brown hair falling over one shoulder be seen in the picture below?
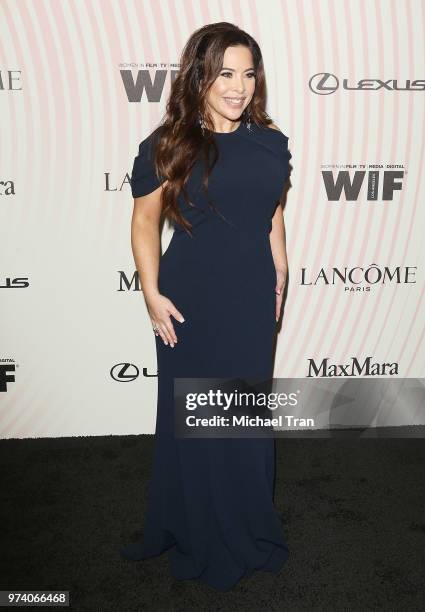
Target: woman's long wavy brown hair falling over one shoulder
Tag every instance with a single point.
(181, 141)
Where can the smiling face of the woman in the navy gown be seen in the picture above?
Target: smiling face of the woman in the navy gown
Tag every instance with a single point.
(233, 89)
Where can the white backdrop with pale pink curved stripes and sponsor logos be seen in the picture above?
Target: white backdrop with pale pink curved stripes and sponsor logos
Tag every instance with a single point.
(82, 82)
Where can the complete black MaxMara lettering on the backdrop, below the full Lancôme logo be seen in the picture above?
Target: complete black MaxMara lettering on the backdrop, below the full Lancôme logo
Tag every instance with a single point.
(354, 368)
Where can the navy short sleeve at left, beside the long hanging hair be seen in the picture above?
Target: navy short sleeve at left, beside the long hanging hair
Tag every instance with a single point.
(143, 176)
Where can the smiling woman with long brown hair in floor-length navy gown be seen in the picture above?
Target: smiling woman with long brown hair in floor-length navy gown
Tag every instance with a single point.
(214, 298)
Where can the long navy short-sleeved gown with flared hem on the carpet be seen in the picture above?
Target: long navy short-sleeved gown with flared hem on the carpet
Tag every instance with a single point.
(211, 500)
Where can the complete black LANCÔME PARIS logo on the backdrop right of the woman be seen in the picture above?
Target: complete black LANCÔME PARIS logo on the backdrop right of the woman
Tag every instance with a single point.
(359, 278)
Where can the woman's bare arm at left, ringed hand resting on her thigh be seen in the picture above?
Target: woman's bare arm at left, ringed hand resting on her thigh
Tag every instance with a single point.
(146, 246)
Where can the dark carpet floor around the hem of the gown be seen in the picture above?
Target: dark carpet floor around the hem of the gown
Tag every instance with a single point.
(353, 515)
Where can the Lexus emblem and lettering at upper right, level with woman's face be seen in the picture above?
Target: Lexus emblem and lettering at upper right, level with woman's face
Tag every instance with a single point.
(325, 83)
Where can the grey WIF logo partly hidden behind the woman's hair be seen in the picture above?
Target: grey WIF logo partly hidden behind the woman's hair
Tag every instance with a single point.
(147, 80)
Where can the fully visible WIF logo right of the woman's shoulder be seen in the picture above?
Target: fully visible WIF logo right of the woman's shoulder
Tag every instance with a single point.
(378, 185)
